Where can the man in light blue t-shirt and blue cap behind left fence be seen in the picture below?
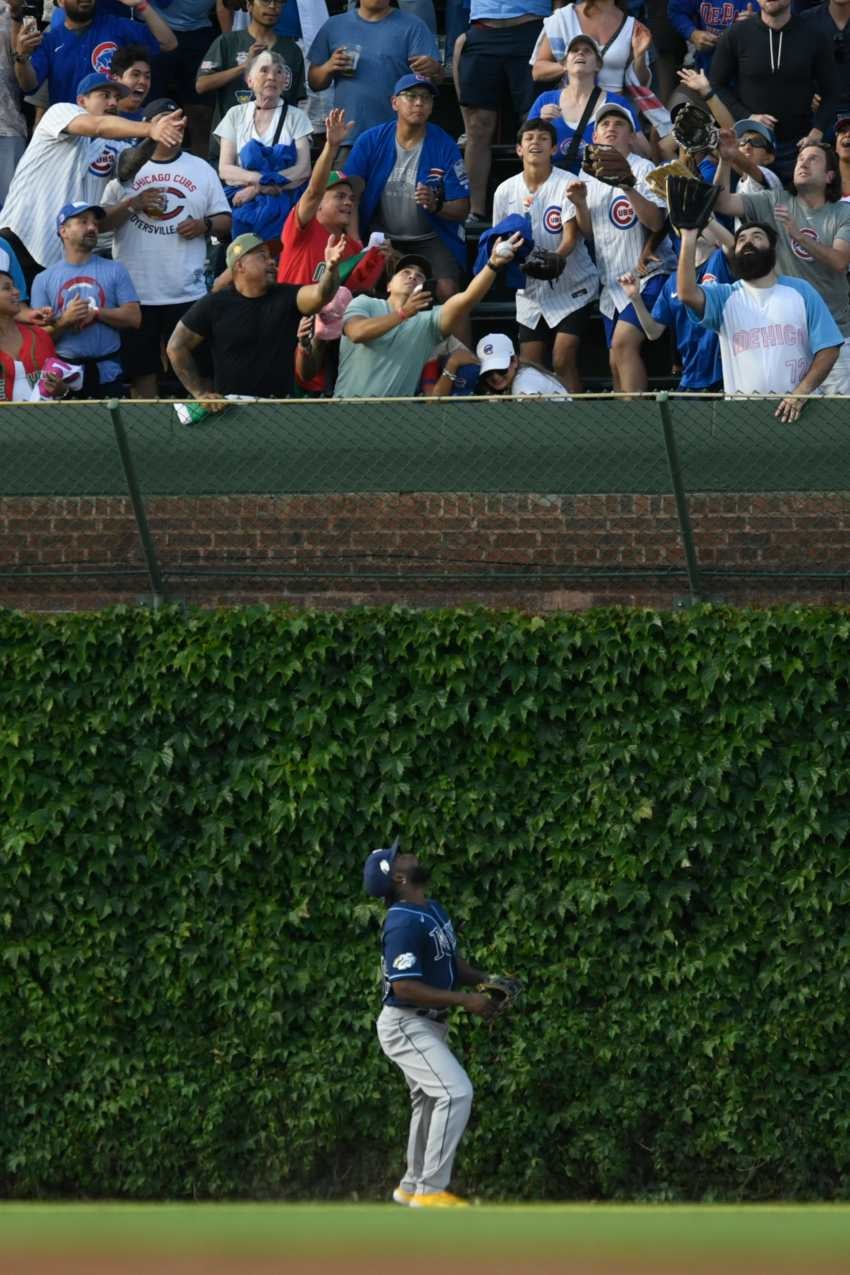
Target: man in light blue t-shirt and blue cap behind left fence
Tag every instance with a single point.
(92, 300)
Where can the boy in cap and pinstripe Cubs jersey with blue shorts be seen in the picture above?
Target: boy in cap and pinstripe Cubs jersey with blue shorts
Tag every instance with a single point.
(617, 219)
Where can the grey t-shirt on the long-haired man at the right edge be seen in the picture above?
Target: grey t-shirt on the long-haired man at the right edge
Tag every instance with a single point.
(824, 225)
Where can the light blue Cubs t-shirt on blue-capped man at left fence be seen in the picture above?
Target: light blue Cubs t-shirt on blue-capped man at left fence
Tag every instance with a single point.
(105, 282)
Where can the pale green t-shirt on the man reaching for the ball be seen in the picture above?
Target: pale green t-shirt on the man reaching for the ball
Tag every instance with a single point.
(391, 367)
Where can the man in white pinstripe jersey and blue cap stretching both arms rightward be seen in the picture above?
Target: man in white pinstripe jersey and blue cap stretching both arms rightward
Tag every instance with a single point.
(73, 154)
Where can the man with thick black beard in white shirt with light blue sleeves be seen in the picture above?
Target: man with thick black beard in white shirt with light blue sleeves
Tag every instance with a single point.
(777, 335)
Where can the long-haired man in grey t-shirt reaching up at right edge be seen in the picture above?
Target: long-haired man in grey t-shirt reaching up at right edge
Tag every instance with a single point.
(814, 234)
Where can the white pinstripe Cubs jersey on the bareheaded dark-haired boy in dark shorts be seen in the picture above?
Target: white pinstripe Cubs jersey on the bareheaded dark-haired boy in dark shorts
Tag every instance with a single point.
(549, 208)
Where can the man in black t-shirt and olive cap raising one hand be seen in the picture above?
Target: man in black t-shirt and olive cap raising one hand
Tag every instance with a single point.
(252, 326)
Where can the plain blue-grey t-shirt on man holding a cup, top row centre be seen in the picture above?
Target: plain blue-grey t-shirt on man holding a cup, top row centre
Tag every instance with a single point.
(387, 49)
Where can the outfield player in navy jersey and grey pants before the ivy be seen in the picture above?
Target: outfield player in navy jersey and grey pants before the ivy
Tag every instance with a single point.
(421, 975)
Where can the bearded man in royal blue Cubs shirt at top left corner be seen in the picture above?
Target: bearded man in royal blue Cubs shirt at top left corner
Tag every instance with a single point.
(82, 44)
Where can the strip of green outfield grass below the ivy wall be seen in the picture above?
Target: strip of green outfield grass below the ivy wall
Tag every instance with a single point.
(810, 1235)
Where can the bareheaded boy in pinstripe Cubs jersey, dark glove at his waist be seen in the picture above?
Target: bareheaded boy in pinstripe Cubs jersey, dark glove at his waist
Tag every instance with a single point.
(551, 316)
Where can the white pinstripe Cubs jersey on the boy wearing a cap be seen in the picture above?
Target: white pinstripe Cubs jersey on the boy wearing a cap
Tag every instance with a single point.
(619, 235)
